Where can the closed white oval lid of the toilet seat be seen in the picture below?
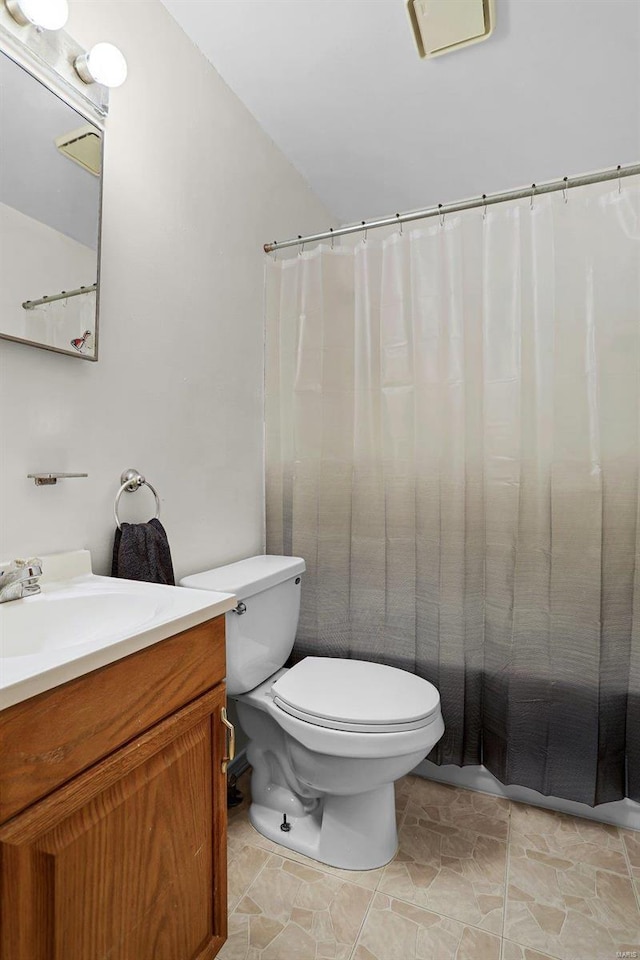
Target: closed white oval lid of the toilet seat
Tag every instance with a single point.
(356, 695)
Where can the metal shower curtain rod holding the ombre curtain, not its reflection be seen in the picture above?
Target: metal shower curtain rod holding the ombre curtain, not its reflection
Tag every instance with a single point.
(443, 208)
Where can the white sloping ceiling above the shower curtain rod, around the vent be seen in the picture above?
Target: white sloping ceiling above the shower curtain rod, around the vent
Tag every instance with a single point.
(339, 87)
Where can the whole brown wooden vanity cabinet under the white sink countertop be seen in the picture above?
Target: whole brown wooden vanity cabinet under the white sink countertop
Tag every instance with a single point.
(126, 860)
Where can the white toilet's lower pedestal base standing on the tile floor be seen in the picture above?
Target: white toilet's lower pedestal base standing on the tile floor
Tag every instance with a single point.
(355, 832)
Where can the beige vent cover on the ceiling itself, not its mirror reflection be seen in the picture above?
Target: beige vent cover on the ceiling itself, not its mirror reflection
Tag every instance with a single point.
(443, 25)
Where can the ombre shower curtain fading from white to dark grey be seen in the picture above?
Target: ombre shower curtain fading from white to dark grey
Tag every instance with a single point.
(453, 444)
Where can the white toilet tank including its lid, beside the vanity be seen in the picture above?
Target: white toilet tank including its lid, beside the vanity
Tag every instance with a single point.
(260, 639)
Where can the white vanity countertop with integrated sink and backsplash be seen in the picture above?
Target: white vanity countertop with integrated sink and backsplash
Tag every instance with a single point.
(81, 621)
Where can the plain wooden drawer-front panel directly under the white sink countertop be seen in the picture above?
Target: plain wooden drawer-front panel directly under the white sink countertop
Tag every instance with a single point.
(49, 739)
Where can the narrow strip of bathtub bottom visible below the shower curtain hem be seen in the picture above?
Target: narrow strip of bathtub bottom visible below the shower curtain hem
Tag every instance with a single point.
(621, 813)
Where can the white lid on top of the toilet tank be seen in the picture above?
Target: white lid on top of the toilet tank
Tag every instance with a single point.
(247, 577)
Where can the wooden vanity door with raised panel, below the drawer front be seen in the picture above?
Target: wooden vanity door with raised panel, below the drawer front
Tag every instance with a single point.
(128, 860)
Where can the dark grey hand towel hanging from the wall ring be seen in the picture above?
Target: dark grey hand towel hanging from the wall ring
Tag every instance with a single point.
(141, 552)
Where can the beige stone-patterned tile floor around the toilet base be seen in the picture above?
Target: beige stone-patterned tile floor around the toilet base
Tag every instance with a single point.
(475, 878)
